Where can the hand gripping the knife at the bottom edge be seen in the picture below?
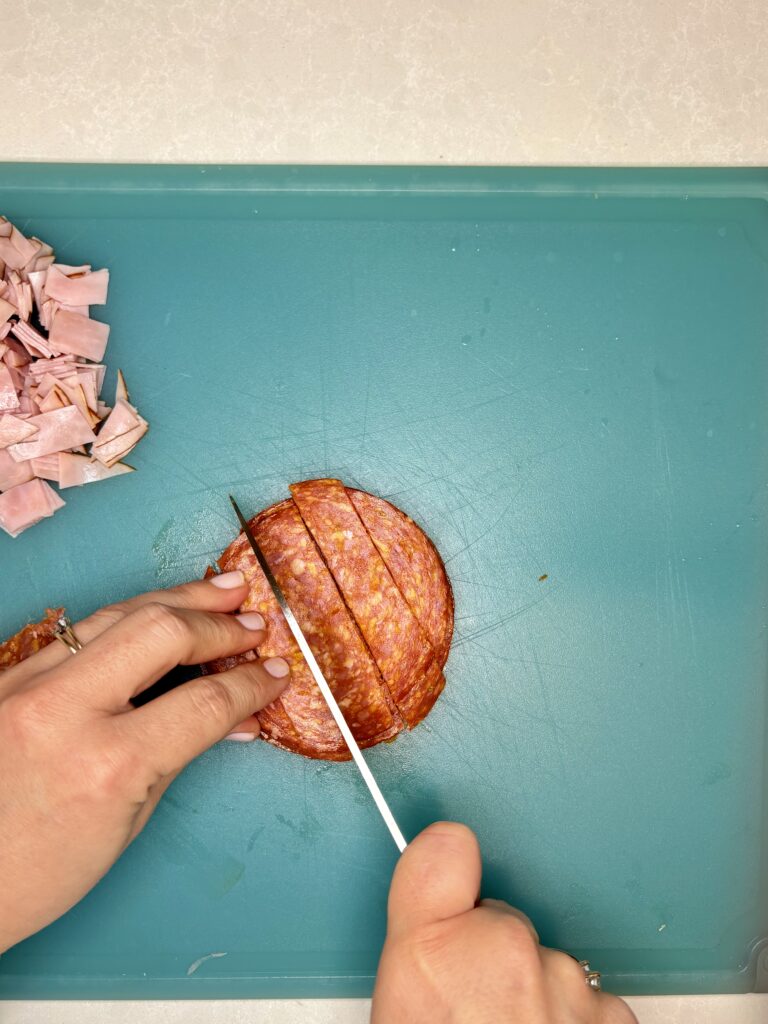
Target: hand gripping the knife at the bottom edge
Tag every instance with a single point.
(449, 960)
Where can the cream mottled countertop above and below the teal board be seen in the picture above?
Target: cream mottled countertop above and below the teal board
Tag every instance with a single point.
(382, 81)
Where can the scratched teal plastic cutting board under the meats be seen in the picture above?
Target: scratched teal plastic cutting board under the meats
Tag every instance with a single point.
(564, 376)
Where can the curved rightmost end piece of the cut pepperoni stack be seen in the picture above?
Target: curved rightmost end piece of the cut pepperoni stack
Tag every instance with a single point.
(415, 565)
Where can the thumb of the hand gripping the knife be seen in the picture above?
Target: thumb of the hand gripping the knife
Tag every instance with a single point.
(438, 877)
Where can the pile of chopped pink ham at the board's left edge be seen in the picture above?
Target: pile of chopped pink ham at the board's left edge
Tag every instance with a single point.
(54, 425)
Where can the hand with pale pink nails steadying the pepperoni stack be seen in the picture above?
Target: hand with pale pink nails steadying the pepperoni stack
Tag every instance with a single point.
(81, 770)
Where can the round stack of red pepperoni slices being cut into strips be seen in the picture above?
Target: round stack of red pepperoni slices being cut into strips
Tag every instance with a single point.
(371, 594)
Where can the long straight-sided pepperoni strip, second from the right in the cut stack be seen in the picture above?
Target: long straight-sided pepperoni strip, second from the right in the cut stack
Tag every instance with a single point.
(396, 639)
